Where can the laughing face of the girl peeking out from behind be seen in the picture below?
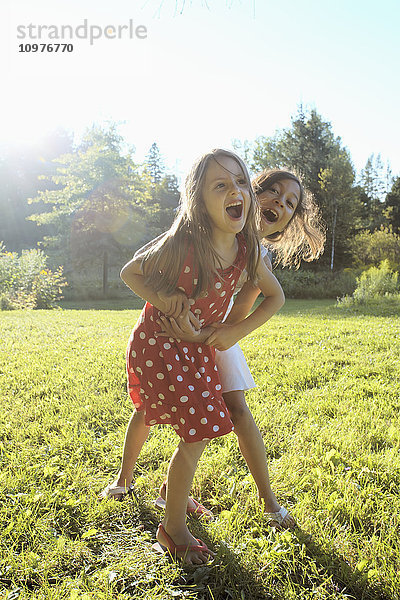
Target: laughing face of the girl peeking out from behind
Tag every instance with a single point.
(278, 204)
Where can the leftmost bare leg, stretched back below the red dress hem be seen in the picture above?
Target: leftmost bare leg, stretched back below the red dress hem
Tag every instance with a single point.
(135, 437)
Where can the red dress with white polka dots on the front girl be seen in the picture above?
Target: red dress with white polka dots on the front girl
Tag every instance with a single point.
(177, 382)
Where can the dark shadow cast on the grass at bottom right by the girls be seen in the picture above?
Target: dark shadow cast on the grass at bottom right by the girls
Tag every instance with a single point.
(227, 578)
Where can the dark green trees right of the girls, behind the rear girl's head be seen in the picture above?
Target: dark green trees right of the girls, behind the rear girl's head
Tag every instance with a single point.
(352, 207)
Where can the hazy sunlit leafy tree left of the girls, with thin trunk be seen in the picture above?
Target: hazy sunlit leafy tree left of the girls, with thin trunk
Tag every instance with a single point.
(100, 205)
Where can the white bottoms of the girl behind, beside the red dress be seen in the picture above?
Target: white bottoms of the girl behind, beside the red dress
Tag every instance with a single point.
(233, 370)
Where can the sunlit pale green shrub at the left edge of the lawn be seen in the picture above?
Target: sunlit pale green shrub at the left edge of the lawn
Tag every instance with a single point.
(27, 282)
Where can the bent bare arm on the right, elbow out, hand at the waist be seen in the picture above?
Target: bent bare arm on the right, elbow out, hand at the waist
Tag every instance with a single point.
(226, 336)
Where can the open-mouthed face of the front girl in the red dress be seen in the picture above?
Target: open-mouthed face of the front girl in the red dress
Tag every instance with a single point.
(226, 195)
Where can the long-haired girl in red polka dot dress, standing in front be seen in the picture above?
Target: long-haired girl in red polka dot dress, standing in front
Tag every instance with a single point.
(212, 240)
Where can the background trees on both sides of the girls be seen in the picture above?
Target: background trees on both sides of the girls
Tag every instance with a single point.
(92, 204)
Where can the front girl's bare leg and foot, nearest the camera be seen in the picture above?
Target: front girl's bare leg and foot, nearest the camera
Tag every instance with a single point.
(180, 476)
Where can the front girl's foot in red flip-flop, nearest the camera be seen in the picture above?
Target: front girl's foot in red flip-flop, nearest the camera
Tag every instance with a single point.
(184, 546)
